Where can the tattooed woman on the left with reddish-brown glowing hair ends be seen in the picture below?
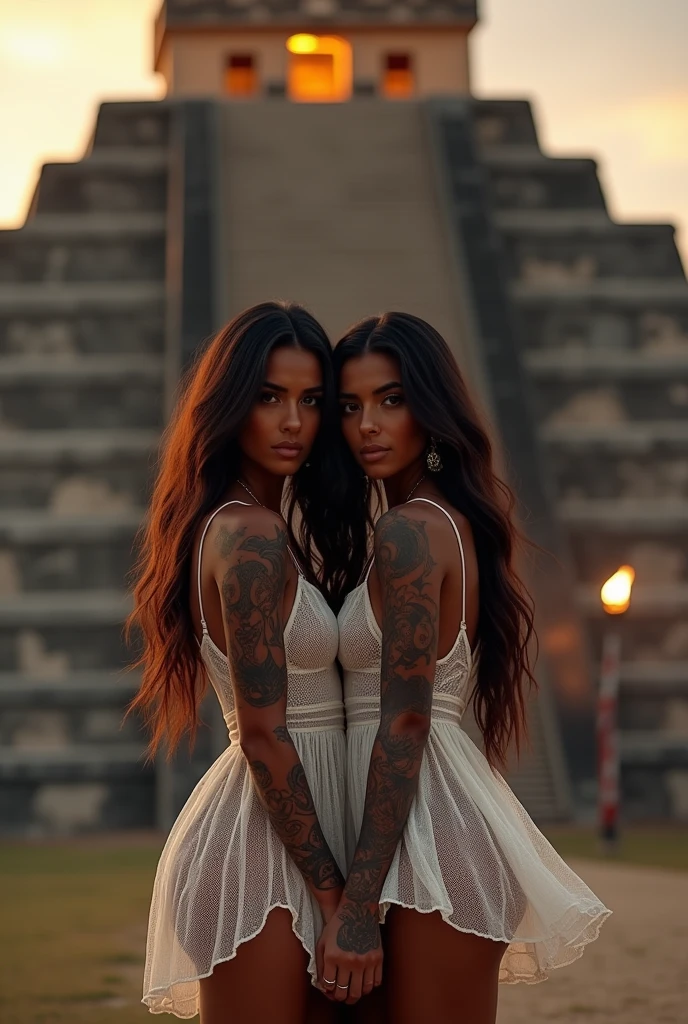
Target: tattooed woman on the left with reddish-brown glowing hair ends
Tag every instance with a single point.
(228, 592)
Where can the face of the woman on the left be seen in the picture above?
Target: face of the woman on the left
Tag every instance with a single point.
(281, 429)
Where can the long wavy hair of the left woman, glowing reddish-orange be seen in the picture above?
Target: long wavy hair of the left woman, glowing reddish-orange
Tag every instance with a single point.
(200, 460)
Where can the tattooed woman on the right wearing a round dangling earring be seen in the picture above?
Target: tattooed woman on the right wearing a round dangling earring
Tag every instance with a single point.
(443, 854)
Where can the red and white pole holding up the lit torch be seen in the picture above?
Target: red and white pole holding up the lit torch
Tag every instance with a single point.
(608, 739)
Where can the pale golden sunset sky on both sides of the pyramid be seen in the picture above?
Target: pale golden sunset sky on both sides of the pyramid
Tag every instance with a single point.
(609, 78)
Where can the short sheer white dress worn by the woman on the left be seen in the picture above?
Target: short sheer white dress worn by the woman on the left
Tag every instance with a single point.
(224, 868)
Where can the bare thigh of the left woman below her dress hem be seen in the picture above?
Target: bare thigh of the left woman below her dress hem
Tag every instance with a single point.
(268, 980)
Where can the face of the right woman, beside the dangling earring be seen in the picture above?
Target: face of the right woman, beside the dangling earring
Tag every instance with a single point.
(378, 425)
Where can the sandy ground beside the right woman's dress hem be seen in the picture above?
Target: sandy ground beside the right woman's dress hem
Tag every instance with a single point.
(636, 973)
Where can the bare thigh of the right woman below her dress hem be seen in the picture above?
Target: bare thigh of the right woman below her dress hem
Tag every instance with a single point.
(436, 973)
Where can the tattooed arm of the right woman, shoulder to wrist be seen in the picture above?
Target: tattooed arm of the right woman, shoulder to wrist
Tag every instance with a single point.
(409, 656)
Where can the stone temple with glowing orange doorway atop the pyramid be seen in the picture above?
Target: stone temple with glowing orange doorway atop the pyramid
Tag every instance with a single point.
(315, 51)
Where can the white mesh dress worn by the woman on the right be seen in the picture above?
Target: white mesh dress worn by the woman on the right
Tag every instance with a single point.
(468, 848)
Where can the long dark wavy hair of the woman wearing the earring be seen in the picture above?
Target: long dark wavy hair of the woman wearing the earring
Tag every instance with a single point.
(440, 401)
